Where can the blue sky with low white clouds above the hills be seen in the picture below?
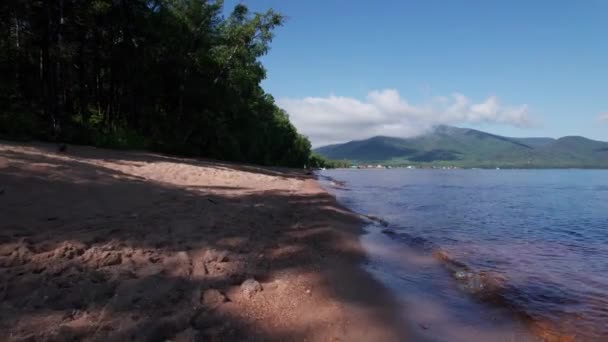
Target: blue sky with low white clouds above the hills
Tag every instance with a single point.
(349, 69)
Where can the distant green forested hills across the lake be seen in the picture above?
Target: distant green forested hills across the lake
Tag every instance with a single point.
(448, 145)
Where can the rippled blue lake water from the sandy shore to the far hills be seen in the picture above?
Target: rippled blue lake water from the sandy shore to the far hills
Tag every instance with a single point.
(482, 253)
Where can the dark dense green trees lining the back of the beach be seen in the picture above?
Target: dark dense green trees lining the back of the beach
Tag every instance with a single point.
(171, 75)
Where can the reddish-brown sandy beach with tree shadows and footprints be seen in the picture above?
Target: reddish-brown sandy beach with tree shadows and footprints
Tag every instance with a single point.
(110, 245)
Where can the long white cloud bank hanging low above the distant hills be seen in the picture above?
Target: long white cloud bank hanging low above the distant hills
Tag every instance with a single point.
(334, 119)
